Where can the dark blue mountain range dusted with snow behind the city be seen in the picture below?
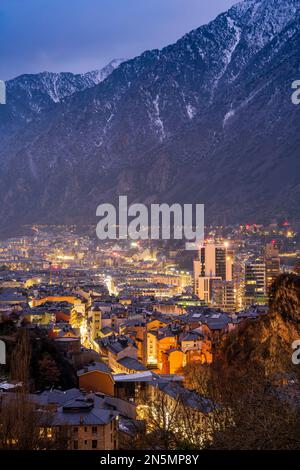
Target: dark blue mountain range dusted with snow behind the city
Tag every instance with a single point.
(208, 119)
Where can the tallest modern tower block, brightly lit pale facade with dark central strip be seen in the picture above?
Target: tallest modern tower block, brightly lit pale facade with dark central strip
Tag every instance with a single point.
(214, 264)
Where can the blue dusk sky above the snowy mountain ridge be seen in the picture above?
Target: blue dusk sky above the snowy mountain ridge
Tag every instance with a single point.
(82, 35)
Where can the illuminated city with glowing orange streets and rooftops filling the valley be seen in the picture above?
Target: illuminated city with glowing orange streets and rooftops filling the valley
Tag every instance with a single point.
(130, 319)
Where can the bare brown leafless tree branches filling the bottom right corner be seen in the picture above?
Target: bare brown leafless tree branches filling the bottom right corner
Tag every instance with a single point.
(253, 412)
